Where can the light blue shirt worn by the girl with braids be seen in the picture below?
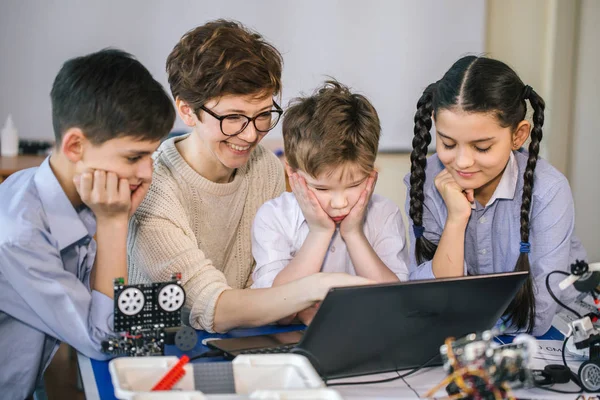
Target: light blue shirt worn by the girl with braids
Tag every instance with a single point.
(492, 237)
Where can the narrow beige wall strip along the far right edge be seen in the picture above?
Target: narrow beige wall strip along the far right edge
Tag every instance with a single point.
(585, 145)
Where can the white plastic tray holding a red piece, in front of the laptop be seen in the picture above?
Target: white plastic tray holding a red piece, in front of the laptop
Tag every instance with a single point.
(264, 377)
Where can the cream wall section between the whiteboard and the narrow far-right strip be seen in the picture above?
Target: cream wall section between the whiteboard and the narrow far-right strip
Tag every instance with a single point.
(537, 38)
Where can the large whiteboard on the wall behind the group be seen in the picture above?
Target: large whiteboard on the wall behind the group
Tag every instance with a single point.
(388, 50)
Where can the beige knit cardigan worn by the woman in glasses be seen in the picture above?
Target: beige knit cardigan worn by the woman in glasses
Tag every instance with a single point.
(200, 228)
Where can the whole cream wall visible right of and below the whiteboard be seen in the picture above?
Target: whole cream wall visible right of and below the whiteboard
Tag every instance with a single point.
(553, 45)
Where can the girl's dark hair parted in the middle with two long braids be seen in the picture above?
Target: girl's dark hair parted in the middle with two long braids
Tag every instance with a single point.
(480, 84)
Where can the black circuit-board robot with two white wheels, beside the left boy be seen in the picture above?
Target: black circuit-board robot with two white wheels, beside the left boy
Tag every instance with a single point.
(142, 315)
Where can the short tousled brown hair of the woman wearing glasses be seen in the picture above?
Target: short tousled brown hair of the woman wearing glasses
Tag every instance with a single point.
(223, 57)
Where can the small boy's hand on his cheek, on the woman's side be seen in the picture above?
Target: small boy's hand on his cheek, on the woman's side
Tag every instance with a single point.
(317, 219)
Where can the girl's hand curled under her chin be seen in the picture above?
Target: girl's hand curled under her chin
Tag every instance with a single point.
(458, 201)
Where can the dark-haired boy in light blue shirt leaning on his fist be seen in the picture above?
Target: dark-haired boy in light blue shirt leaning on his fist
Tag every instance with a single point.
(64, 224)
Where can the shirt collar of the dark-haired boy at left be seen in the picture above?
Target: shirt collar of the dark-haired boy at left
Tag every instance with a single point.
(67, 225)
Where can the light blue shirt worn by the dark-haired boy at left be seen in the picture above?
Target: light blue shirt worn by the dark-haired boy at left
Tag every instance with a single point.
(47, 252)
